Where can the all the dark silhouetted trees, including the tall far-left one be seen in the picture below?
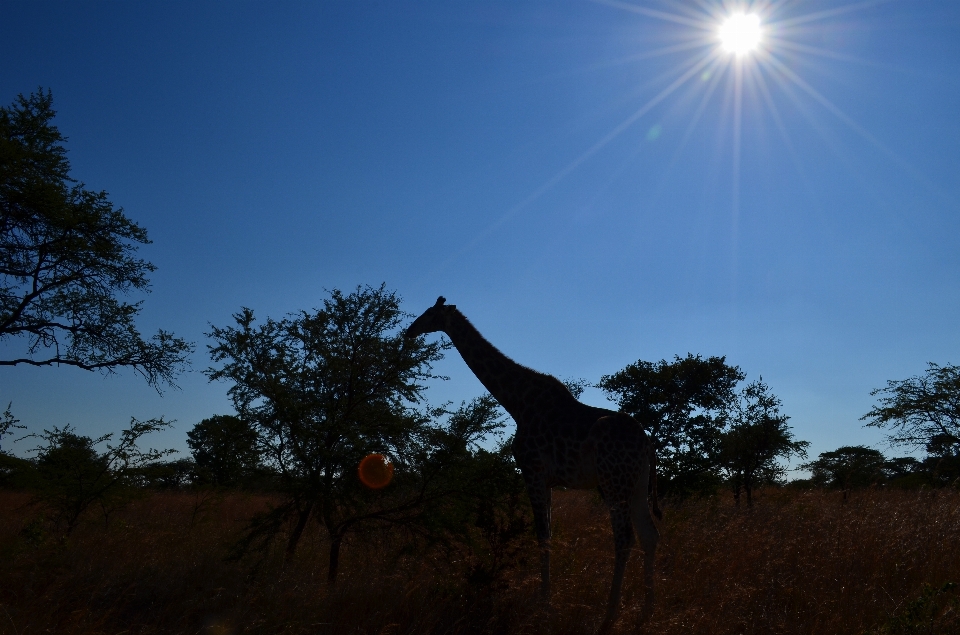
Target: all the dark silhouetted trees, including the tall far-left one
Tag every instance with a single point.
(316, 391)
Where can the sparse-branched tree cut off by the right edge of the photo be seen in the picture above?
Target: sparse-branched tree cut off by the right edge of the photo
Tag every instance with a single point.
(922, 412)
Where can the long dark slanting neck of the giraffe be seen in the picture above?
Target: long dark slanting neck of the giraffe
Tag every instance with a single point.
(503, 377)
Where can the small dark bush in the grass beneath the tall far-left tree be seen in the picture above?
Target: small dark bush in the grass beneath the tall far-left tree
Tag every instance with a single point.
(71, 475)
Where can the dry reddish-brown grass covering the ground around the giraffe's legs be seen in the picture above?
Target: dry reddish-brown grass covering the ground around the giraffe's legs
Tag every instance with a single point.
(796, 563)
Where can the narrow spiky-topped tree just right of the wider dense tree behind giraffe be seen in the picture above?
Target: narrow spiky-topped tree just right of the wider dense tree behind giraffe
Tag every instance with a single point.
(758, 436)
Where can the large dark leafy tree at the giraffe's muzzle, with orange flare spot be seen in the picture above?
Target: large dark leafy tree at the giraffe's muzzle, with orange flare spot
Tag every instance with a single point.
(323, 389)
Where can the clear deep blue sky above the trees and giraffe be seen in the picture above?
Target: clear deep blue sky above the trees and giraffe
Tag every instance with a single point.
(589, 182)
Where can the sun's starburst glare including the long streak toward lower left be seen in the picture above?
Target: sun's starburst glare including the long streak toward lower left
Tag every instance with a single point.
(736, 57)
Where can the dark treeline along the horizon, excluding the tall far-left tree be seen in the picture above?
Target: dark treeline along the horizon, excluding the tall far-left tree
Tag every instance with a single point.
(315, 392)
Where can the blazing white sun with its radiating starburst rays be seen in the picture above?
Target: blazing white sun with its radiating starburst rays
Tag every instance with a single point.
(742, 50)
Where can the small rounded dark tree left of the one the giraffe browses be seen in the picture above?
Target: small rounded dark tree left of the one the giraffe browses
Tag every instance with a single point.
(224, 449)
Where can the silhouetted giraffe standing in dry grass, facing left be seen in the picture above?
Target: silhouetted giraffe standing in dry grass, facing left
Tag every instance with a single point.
(562, 442)
